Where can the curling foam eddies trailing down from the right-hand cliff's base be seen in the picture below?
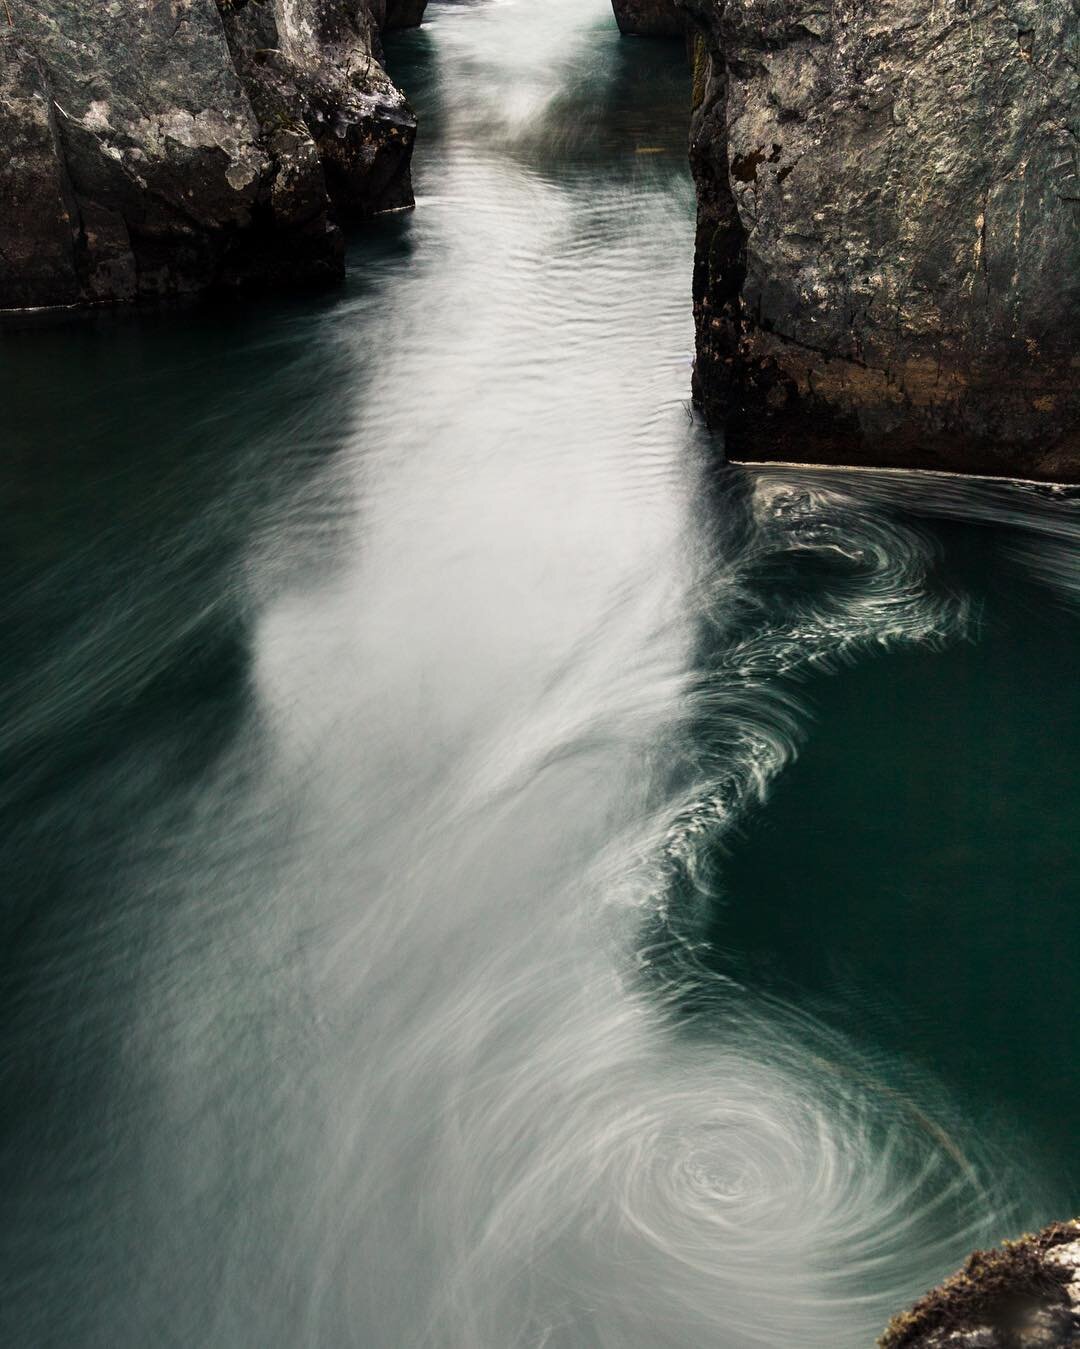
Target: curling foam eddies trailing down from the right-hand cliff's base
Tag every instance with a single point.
(765, 641)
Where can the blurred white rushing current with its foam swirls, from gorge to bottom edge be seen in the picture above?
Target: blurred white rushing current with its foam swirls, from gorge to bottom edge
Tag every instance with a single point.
(411, 1041)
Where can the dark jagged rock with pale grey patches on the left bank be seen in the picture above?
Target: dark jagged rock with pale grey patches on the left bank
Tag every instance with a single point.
(160, 148)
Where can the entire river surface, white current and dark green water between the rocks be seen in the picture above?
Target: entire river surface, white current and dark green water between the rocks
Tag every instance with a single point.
(481, 873)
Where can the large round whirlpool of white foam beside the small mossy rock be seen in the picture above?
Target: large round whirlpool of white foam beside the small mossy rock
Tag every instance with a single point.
(644, 1189)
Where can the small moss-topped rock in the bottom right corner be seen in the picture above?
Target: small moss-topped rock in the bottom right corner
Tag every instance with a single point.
(1025, 1296)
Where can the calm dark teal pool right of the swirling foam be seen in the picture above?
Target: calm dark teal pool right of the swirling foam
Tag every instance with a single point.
(915, 875)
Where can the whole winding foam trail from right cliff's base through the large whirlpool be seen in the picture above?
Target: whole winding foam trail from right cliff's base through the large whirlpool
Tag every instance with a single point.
(624, 1177)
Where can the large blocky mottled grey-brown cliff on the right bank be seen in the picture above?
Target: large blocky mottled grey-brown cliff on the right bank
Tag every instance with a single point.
(889, 245)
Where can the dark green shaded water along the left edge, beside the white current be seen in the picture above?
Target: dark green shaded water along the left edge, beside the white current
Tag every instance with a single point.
(136, 492)
